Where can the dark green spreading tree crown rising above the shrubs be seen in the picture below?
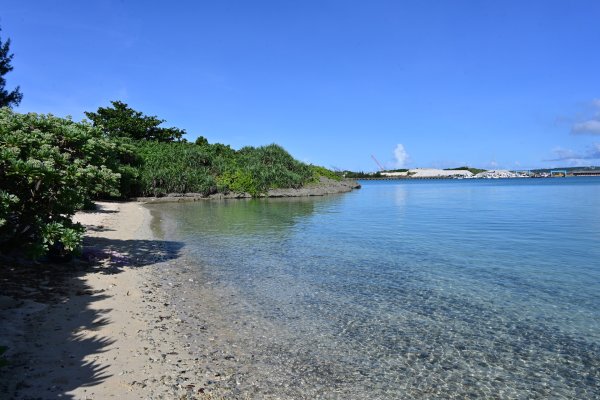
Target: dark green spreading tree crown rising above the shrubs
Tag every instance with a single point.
(122, 121)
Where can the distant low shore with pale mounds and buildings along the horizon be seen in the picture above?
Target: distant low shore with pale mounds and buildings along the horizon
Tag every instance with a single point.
(471, 173)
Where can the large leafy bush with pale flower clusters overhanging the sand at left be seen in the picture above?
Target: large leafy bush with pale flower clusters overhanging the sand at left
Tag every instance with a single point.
(49, 168)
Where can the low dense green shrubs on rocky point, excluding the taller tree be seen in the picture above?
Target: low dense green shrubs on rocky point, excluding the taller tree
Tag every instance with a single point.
(210, 168)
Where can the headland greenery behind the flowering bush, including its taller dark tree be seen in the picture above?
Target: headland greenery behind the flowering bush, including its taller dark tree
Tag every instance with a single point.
(164, 163)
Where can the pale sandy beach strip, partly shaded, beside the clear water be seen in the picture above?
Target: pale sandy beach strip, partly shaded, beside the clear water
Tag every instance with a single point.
(98, 329)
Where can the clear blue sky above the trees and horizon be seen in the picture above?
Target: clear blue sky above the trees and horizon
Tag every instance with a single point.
(513, 84)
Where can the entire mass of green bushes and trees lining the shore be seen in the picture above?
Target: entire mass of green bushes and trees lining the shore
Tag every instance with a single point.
(51, 167)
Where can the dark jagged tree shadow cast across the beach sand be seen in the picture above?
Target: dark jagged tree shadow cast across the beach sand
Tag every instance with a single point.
(46, 317)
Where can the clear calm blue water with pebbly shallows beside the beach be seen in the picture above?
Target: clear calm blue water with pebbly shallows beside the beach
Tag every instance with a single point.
(419, 289)
